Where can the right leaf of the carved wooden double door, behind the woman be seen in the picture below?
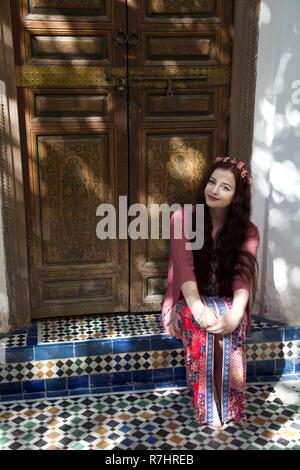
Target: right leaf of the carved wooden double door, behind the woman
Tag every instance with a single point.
(179, 76)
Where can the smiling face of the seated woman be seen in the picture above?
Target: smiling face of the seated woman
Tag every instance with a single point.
(220, 189)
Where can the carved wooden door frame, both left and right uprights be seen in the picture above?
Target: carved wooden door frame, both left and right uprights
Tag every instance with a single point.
(243, 84)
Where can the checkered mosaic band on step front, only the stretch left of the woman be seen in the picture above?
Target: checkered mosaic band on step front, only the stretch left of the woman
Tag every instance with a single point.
(70, 367)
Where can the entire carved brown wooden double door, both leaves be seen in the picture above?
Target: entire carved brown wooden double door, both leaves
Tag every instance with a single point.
(82, 64)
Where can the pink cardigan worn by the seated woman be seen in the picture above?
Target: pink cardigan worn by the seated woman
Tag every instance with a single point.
(181, 267)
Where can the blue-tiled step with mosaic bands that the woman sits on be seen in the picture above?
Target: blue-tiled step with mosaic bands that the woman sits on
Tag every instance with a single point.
(99, 354)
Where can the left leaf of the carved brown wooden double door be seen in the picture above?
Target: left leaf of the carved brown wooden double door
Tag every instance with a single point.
(74, 154)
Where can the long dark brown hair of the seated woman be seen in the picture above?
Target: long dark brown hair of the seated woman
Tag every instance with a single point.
(228, 256)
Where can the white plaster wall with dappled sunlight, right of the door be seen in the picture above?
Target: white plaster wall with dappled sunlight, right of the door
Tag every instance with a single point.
(276, 158)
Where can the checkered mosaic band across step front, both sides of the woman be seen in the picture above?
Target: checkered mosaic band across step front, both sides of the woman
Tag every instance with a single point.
(131, 361)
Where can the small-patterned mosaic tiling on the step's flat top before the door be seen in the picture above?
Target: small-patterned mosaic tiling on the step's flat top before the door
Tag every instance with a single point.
(56, 330)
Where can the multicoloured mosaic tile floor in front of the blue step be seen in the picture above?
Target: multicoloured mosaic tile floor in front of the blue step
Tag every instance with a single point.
(150, 420)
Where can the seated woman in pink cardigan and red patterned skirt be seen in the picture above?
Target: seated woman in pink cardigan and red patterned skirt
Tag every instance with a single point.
(210, 293)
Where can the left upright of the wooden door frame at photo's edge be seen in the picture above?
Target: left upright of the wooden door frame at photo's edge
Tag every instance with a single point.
(12, 190)
